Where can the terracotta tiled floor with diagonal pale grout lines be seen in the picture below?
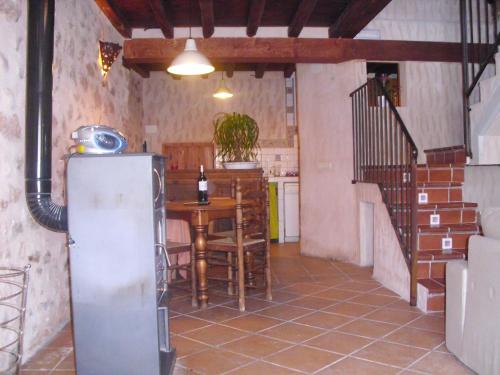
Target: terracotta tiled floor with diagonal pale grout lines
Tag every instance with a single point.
(326, 318)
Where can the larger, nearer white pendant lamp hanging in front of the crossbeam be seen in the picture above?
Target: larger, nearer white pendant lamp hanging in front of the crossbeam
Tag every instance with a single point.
(190, 62)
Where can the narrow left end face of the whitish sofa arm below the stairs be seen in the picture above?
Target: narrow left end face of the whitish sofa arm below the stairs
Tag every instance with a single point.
(456, 293)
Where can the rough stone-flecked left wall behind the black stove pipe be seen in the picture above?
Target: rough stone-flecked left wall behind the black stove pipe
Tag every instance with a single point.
(79, 98)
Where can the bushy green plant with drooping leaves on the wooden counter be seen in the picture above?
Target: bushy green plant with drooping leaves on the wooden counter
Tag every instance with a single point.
(236, 136)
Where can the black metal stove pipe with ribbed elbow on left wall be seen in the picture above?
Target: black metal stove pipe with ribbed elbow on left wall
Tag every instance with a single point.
(38, 169)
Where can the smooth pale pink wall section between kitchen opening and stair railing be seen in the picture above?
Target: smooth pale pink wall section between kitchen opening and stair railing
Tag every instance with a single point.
(327, 197)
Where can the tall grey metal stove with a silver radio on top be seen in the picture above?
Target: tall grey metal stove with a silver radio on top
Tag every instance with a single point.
(116, 217)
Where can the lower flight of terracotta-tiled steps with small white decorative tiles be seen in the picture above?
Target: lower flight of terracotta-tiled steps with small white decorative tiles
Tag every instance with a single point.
(442, 179)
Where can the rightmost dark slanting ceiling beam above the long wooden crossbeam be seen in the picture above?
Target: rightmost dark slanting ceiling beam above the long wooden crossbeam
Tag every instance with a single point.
(356, 15)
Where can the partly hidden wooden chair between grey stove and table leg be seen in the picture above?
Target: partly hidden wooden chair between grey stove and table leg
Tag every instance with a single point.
(174, 249)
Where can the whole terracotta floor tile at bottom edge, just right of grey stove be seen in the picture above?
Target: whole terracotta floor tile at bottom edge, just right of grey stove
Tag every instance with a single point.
(213, 361)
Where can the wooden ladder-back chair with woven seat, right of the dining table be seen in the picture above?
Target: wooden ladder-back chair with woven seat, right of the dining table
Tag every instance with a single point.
(247, 252)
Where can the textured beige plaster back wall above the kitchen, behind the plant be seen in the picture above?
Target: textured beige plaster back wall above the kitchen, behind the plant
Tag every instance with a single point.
(183, 110)
